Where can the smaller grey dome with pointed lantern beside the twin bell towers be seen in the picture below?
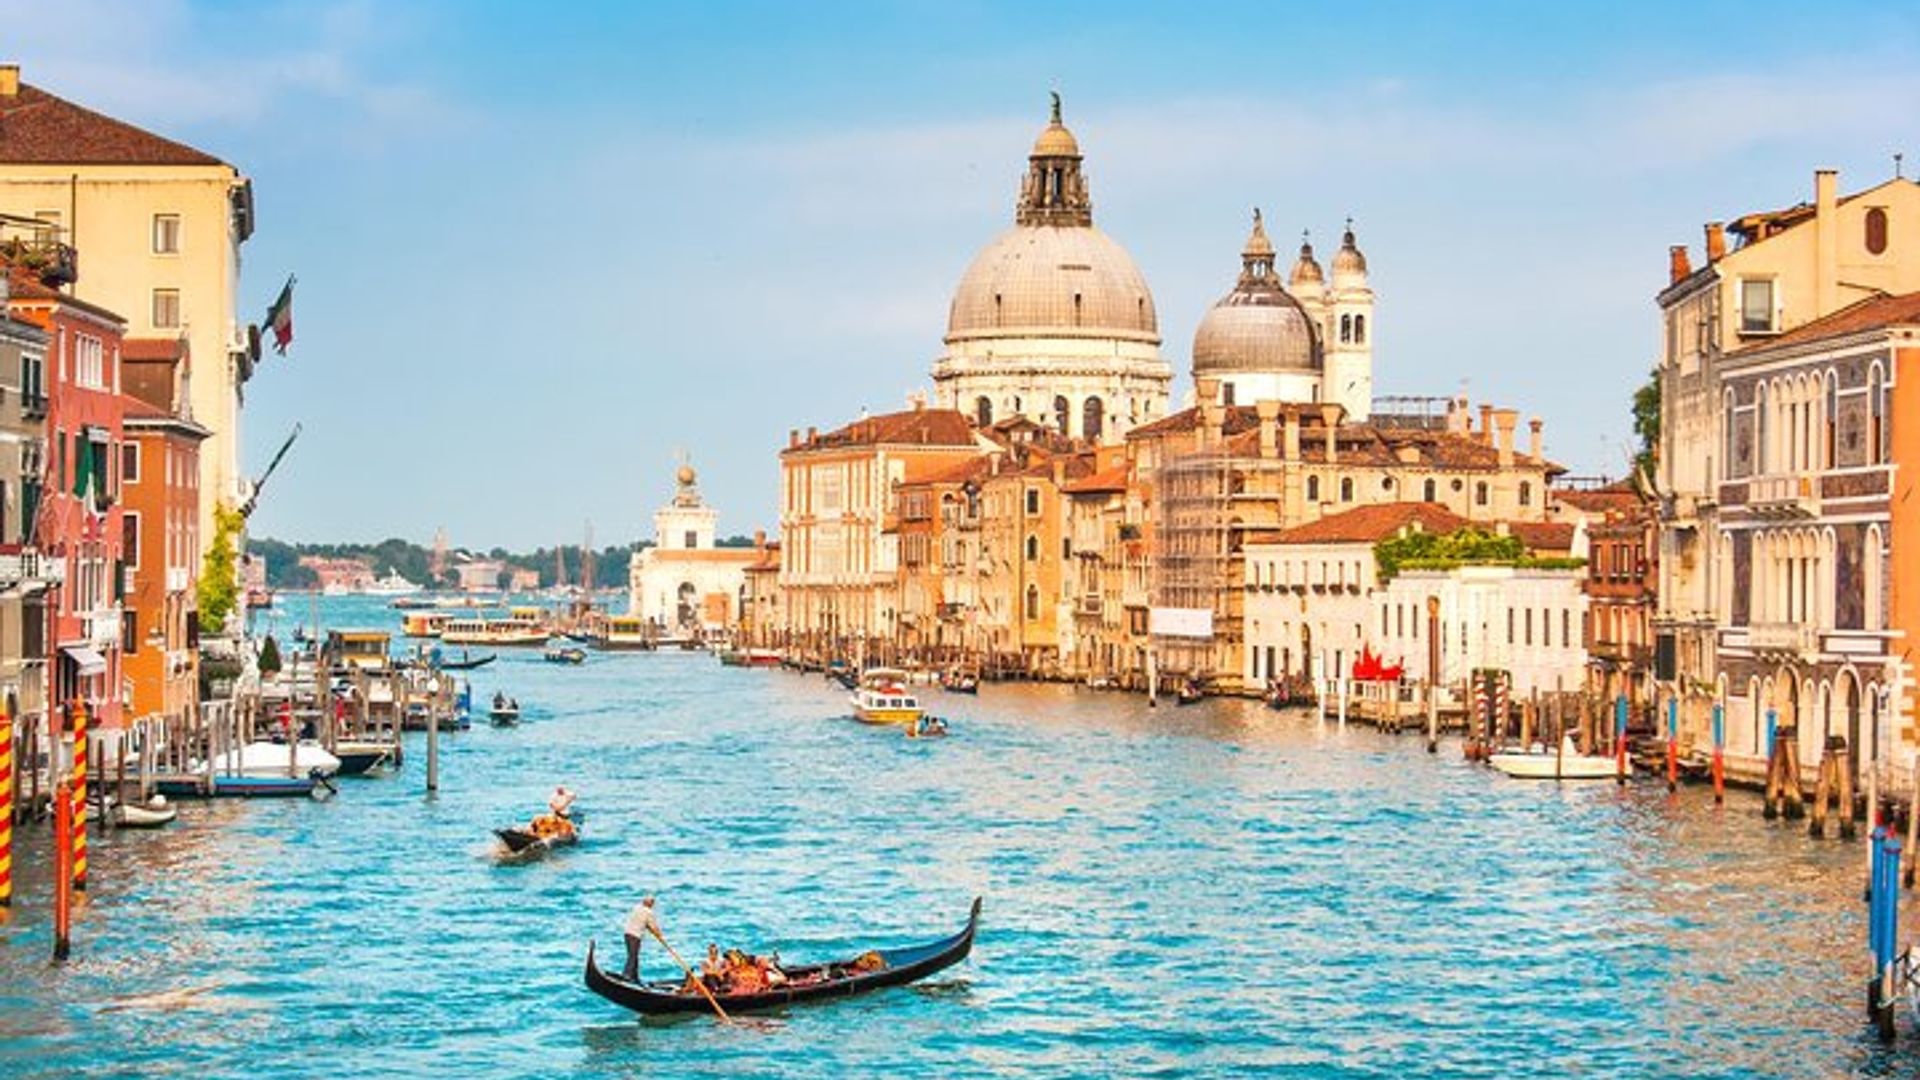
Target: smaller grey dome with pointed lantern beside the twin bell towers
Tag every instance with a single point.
(1259, 328)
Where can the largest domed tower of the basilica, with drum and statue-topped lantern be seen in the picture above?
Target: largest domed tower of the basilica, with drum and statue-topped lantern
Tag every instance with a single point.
(1053, 320)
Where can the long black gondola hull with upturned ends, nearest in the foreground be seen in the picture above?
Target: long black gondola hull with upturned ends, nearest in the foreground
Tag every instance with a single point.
(828, 981)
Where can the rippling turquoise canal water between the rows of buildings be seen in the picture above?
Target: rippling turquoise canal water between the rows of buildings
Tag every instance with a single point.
(1168, 893)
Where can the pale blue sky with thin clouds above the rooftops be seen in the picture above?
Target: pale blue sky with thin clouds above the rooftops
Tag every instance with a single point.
(546, 249)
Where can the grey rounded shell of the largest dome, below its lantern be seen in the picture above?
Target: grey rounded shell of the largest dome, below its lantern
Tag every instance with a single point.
(1053, 282)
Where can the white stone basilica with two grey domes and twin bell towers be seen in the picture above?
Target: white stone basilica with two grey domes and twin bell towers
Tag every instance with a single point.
(1053, 320)
